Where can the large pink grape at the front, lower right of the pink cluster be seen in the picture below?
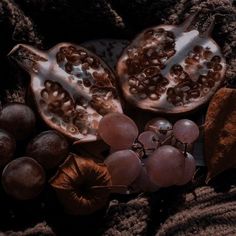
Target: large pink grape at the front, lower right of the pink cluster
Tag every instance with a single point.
(165, 166)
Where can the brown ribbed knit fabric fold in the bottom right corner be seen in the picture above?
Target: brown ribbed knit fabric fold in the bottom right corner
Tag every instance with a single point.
(206, 213)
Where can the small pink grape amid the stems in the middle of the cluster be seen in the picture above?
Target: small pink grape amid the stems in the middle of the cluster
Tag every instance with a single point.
(148, 139)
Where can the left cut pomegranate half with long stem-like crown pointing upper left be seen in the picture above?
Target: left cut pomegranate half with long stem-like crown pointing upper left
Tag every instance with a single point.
(73, 89)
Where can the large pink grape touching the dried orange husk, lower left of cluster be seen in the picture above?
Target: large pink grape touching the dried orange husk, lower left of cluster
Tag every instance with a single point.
(124, 167)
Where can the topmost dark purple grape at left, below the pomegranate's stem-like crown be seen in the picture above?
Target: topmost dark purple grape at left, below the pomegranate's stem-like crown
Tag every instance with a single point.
(18, 119)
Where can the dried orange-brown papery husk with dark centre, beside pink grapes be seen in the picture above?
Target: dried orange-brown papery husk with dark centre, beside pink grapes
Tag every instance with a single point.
(77, 185)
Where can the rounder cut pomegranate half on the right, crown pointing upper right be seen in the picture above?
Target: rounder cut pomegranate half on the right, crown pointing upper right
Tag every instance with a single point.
(171, 69)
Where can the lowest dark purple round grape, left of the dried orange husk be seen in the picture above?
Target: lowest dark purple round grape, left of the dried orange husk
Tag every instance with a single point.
(23, 178)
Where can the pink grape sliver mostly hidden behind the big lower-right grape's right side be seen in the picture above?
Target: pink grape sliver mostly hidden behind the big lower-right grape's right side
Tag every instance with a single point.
(189, 169)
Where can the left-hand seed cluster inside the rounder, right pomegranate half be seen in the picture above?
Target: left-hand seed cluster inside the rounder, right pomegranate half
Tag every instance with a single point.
(144, 63)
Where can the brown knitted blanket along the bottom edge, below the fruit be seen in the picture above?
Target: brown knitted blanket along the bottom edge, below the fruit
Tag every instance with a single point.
(201, 212)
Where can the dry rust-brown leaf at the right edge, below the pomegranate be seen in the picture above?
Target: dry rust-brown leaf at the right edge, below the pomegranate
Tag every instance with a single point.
(220, 133)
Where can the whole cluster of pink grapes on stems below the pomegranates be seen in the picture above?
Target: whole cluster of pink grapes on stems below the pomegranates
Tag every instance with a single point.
(154, 158)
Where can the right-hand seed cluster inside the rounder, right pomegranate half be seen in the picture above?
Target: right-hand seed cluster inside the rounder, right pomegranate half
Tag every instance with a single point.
(191, 84)
